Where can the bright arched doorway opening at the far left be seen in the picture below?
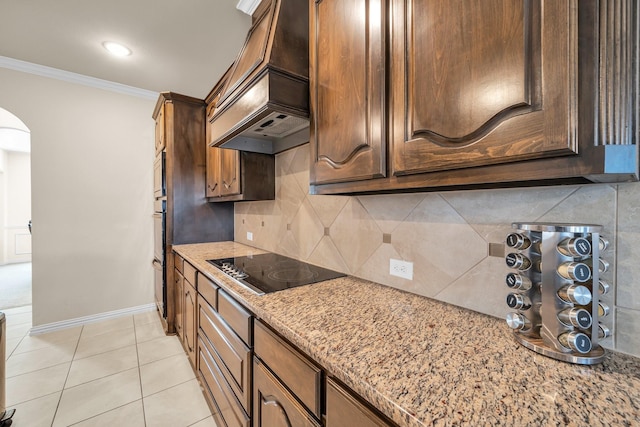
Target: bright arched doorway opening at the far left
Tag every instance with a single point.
(15, 212)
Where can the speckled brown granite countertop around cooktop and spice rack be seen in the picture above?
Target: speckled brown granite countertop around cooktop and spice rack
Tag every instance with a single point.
(424, 362)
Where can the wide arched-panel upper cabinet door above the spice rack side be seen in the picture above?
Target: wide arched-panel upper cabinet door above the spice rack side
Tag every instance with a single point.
(481, 82)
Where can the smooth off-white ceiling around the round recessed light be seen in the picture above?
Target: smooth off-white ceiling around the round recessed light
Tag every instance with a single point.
(182, 46)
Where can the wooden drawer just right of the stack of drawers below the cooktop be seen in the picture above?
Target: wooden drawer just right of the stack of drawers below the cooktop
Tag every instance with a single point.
(301, 376)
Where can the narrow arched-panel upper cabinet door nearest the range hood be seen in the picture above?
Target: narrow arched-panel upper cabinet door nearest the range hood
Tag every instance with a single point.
(347, 78)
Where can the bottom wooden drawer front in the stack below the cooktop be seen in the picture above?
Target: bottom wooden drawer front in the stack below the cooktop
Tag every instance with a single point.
(218, 390)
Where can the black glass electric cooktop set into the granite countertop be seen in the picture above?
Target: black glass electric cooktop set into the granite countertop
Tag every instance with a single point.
(271, 272)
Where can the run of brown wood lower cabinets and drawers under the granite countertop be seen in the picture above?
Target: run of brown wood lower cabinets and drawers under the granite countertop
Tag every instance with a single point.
(250, 375)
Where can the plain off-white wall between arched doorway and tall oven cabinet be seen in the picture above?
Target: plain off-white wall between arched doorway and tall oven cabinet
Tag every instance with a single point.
(91, 175)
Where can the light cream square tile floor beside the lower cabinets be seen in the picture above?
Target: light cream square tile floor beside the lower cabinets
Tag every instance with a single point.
(118, 372)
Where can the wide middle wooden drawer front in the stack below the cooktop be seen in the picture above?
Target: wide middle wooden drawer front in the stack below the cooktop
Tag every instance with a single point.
(234, 356)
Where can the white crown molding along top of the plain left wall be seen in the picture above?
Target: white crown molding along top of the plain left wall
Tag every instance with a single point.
(67, 76)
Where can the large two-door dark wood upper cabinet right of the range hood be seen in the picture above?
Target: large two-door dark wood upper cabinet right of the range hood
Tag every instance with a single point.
(472, 93)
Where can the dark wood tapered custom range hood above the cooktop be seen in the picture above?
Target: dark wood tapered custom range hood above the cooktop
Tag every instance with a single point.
(264, 106)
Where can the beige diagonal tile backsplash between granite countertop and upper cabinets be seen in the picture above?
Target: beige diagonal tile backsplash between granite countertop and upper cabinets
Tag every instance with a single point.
(446, 235)
